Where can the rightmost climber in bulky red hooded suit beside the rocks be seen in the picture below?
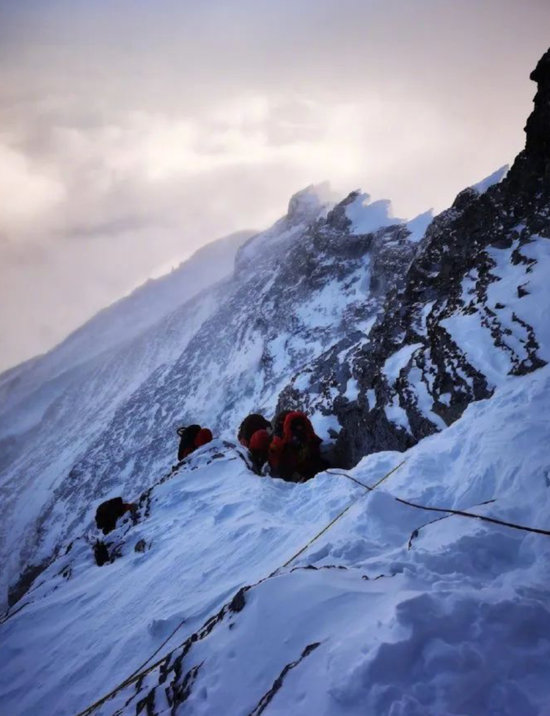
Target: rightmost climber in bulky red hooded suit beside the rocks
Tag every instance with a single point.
(295, 454)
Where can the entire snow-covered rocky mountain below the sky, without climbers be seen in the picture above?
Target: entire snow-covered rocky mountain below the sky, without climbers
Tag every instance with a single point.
(430, 337)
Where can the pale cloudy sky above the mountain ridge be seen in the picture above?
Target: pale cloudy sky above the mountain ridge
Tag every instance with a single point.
(132, 131)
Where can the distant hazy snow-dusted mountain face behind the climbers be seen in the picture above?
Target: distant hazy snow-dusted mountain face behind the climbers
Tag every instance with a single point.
(109, 427)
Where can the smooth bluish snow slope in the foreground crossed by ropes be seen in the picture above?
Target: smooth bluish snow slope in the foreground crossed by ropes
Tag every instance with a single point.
(391, 611)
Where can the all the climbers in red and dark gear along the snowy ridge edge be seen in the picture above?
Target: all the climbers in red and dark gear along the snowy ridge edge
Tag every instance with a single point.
(288, 449)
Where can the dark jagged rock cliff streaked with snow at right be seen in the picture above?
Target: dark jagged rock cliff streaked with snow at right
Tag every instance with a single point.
(465, 316)
